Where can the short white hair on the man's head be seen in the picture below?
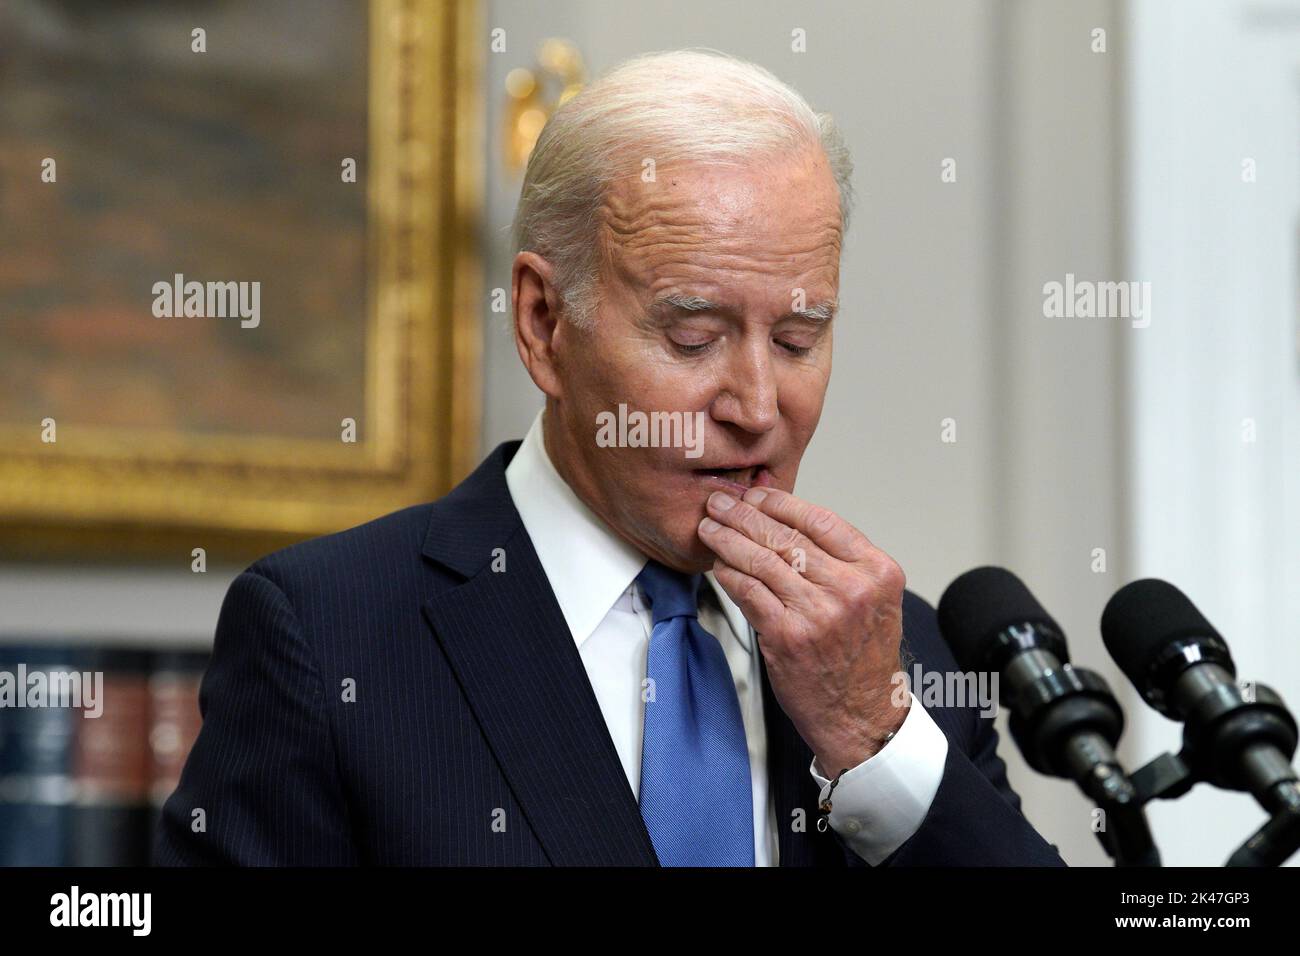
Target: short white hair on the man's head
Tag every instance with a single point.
(697, 106)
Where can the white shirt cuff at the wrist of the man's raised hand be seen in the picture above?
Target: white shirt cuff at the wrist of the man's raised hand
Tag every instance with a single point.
(879, 804)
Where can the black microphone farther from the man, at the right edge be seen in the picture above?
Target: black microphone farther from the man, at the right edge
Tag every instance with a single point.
(1182, 668)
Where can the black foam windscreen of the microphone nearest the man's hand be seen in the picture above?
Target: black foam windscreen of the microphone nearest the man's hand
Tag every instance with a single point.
(978, 607)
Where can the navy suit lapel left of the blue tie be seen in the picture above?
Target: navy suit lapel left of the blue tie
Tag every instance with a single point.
(512, 650)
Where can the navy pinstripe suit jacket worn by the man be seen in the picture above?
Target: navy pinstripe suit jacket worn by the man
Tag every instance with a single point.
(383, 697)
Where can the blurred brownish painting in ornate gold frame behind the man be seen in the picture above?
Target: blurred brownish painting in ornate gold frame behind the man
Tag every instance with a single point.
(239, 297)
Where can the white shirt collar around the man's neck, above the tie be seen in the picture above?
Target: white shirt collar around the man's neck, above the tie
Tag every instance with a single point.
(587, 564)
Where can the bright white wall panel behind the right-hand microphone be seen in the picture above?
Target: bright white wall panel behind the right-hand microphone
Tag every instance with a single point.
(1215, 84)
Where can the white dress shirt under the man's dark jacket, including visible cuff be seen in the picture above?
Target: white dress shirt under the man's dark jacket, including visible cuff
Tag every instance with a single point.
(878, 806)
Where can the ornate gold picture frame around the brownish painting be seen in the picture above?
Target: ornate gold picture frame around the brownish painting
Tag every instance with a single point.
(157, 491)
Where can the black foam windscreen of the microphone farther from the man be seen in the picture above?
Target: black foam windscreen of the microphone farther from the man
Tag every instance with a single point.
(1143, 620)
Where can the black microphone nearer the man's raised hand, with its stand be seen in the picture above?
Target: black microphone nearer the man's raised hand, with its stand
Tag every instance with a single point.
(1065, 720)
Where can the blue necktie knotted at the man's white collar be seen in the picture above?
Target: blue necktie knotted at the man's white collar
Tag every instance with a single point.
(696, 794)
